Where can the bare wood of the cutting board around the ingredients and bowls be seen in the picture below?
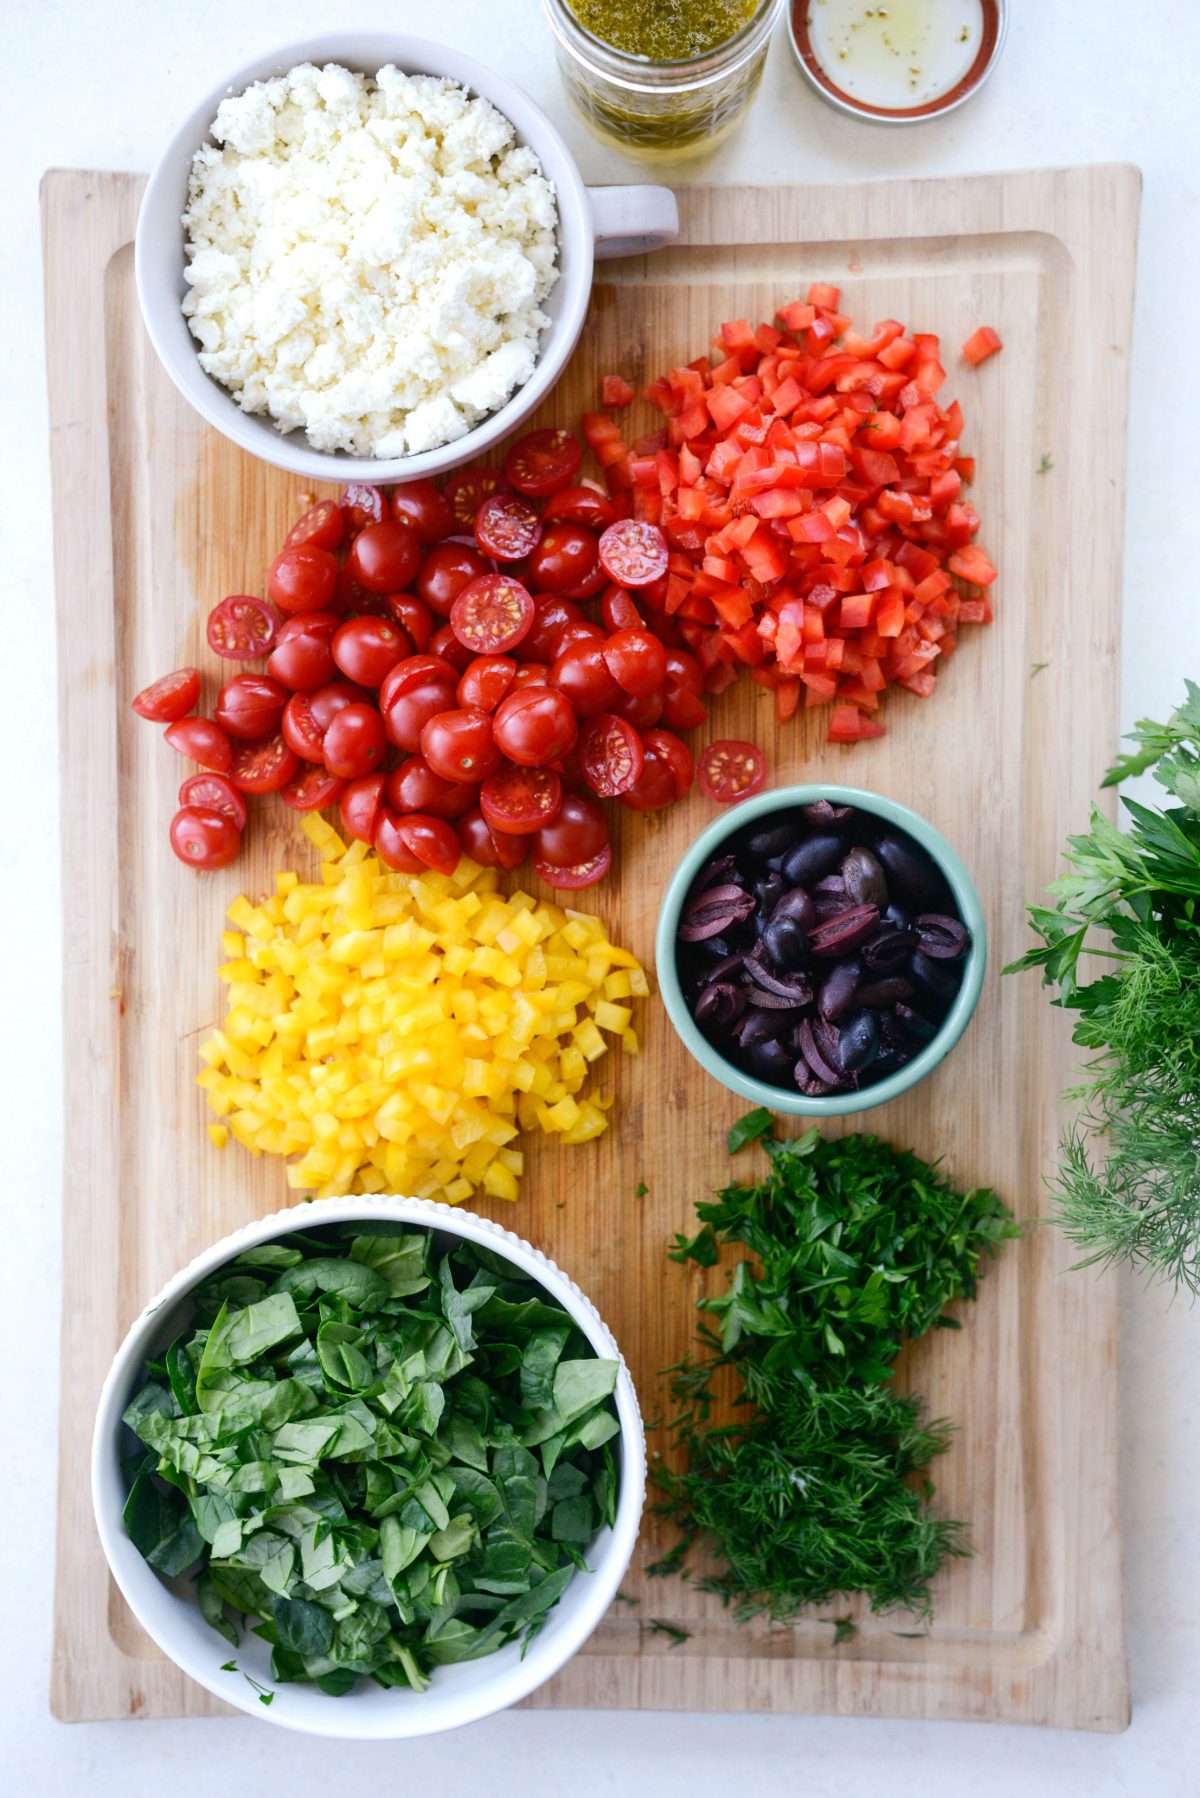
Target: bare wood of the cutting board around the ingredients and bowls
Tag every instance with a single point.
(157, 517)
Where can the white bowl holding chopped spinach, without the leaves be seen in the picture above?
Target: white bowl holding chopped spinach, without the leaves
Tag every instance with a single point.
(168, 1612)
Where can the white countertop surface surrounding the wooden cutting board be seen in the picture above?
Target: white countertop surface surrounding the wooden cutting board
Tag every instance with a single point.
(100, 85)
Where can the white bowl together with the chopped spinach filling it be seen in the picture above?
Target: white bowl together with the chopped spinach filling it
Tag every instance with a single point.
(370, 1468)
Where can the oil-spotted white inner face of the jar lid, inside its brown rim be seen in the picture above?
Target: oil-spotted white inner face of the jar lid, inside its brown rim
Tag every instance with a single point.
(897, 55)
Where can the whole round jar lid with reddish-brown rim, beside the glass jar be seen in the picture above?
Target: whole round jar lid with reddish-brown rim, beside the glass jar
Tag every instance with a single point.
(868, 64)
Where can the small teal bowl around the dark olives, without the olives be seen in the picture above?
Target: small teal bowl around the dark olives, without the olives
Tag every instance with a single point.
(776, 1098)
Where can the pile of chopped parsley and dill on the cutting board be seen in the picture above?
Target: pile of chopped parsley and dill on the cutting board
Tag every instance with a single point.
(857, 1249)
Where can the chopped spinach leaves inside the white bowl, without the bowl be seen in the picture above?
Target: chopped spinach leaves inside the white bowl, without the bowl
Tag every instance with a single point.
(391, 1454)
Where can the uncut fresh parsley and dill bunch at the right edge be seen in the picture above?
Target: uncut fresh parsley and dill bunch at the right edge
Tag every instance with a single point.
(1129, 1173)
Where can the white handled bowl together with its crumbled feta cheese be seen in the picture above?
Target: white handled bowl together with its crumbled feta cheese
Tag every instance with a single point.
(370, 258)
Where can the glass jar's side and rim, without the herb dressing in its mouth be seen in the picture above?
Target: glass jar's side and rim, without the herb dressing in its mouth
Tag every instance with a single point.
(661, 109)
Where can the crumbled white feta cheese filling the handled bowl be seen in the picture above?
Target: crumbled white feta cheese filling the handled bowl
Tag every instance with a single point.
(368, 258)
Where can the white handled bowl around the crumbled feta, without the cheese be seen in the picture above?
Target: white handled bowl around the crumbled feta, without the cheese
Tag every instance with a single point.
(591, 222)
